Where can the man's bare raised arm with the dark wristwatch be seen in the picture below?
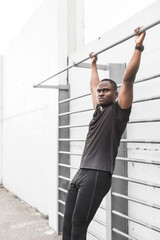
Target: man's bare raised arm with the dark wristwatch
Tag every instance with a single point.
(126, 92)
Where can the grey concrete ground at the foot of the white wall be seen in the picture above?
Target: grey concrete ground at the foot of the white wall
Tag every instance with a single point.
(19, 221)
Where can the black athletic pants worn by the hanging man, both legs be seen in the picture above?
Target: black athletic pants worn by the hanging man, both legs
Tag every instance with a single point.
(85, 194)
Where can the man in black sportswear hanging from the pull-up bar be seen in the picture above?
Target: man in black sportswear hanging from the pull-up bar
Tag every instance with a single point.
(93, 180)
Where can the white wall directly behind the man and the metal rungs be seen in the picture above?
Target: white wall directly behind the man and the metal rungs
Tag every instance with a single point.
(79, 80)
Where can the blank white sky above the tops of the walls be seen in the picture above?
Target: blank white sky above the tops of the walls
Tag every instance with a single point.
(100, 16)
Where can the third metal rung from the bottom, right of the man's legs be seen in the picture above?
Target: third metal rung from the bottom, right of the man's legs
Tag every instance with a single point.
(136, 200)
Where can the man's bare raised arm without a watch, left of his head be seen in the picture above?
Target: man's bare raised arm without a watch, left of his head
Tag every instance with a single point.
(94, 80)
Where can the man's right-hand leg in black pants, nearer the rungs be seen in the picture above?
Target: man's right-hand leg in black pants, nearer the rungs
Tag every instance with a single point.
(93, 186)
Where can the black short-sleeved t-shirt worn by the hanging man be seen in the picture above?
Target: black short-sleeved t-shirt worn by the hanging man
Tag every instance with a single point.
(103, 138)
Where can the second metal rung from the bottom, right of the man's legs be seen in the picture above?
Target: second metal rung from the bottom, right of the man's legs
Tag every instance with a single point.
(136, 221)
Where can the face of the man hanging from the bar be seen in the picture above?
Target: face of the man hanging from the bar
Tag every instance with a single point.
(106, 94)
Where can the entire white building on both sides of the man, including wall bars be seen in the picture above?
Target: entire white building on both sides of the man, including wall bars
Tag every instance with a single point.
(36, 162)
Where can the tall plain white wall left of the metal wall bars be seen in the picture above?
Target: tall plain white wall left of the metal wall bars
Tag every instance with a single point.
(30, 115)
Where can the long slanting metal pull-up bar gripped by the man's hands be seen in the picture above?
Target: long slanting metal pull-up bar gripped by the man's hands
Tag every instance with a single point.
(101, 51)
